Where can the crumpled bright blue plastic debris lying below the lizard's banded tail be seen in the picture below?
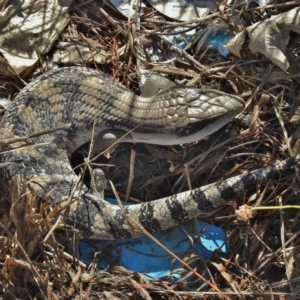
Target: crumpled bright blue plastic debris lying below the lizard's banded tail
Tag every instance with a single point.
(145, 256)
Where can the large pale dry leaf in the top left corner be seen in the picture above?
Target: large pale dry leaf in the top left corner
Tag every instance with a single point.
(31, 31)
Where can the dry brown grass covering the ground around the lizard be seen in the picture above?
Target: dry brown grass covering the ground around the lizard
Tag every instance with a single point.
(263, 261)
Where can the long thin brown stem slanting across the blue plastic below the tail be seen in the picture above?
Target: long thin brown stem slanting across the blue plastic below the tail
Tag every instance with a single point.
(146, 233)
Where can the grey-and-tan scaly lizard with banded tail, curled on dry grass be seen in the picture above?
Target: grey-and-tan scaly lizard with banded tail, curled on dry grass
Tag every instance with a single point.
(70, 103)
